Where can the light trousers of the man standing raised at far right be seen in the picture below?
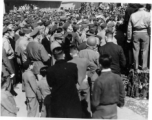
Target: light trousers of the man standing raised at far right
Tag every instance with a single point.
(140, 44)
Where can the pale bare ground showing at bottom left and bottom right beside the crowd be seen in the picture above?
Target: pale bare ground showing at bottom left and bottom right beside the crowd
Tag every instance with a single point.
(133, 109)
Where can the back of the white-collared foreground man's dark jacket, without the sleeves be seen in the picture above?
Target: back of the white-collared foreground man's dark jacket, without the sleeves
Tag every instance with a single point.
(109, 84)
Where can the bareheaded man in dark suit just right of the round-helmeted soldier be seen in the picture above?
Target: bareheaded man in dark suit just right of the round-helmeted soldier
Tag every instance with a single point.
(115, 51)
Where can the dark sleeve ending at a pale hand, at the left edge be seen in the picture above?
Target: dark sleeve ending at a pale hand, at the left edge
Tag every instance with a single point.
(7, 63)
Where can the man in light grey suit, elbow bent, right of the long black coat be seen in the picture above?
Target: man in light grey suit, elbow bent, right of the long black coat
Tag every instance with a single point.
(85, 69)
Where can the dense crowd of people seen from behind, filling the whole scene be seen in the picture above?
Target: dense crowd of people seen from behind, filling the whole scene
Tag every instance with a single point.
(70, 62)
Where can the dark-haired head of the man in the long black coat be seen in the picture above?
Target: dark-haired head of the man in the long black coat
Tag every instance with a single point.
(58, 53)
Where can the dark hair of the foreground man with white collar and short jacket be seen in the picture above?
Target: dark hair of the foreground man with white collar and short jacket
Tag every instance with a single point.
(105, 60)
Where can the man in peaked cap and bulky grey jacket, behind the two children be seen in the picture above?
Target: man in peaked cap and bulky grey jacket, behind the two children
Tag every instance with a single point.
(37, 53)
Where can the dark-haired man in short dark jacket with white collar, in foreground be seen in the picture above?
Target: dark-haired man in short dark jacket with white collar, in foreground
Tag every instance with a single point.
(108, 91)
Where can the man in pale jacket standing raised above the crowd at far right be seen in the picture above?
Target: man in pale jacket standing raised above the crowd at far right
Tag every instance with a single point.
(139, 23)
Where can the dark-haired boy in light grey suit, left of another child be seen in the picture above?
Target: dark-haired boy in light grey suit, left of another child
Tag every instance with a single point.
(31, 90)
